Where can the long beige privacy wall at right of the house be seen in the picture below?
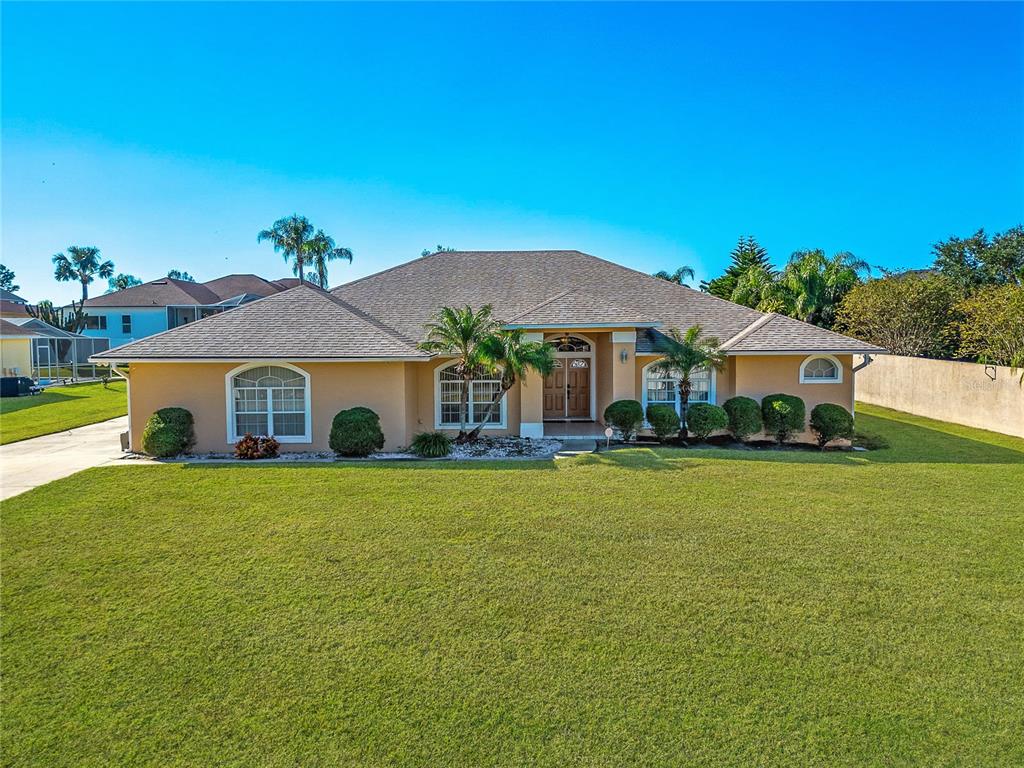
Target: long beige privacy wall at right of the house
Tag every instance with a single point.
(985, 397)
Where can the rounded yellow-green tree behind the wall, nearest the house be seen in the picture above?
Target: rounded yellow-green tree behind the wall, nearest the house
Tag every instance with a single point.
(907, 314)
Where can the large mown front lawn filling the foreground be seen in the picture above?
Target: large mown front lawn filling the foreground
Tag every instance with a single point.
(653, 608)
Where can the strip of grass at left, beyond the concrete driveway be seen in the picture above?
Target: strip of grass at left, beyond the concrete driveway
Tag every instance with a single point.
(61, 408)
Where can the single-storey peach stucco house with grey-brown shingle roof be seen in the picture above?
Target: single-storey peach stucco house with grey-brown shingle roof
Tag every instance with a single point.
(287, 364)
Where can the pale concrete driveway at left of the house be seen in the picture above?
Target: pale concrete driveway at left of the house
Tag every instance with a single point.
(35, 462)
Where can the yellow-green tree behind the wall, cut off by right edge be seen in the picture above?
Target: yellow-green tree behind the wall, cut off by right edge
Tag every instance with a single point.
(993, 326)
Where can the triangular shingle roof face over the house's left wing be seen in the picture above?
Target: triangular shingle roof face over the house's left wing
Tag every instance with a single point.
(303, 323)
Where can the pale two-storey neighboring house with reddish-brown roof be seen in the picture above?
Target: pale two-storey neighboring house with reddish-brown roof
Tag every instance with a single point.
(143, 311)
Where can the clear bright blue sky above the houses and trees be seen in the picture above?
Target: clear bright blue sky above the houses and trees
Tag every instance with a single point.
(651, 135)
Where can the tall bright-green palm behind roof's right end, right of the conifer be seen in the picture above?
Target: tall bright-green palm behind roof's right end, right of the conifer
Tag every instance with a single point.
(817, 284)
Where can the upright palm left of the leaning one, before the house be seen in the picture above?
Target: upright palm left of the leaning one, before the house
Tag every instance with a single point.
(461, 334)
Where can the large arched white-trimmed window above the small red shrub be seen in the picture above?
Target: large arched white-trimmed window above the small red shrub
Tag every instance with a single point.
(270, 401)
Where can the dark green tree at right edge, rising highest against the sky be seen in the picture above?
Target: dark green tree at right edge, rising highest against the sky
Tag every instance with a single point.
(978, 262)
